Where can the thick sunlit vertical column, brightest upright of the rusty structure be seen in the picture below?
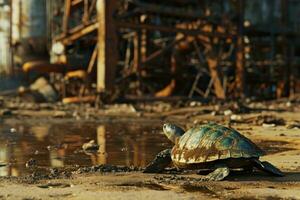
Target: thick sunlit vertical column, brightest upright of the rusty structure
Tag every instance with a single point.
(107, 45)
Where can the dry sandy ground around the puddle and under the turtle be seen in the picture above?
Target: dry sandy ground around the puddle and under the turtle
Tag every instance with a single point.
(280, 142)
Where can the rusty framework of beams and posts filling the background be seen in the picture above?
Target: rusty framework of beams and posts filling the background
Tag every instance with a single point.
(138, 48)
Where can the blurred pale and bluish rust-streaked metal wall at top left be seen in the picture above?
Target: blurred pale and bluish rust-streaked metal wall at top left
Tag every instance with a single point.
(29, 30)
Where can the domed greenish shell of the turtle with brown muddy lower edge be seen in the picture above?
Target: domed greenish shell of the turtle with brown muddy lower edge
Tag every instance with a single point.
(212, 142)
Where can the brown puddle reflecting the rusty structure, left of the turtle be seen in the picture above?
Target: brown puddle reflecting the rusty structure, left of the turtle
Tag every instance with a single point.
(59, 145)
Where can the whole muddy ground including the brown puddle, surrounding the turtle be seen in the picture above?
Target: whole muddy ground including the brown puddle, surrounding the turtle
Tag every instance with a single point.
(62, 170)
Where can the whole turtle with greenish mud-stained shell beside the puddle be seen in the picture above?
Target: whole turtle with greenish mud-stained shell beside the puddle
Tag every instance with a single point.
(210, 147)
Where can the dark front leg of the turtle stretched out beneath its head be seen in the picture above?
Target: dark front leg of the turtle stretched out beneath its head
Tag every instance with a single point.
(162, 160)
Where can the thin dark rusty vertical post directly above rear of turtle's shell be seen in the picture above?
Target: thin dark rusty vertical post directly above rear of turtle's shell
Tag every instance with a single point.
(240, 61)
